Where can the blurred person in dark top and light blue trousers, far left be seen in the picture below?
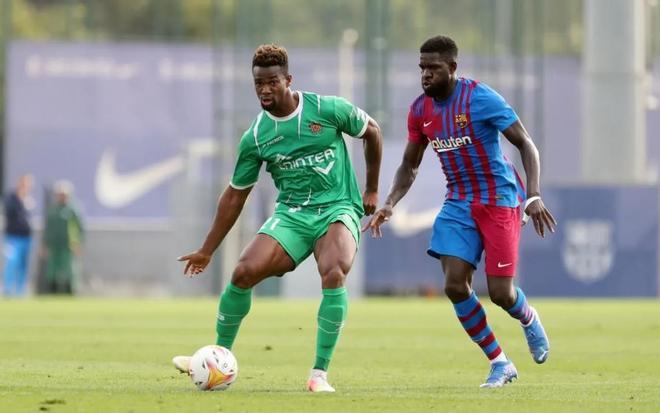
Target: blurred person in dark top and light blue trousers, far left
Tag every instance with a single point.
(18, 236)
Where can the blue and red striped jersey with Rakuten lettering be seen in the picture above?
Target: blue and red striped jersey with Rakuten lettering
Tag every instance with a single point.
(463, 130)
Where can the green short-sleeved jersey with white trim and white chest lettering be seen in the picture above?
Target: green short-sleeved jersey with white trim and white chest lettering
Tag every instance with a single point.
(304, 152)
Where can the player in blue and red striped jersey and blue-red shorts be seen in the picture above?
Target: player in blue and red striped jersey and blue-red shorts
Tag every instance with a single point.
(461, 120)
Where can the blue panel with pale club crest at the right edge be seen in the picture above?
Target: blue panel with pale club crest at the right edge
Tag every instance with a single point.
(606, 244)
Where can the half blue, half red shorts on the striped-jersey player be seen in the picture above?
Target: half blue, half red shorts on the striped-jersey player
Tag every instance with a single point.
(465, 230)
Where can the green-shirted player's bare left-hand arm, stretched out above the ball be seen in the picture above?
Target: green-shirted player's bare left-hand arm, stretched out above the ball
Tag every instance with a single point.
(230, 205)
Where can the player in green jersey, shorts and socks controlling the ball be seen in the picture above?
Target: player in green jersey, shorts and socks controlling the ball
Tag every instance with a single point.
(298, 135)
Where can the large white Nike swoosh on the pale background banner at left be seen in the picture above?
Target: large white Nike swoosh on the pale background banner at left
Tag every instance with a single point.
(114, 190)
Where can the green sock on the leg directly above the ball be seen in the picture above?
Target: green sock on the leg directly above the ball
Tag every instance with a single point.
(234, 305)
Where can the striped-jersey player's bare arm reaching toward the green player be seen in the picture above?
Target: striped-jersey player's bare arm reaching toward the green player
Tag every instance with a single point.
(403, 180)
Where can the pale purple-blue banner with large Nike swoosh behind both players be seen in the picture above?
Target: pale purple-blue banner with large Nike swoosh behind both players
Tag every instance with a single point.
(123, 120)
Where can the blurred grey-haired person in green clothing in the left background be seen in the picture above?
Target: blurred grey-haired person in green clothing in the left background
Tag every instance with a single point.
(62, 240)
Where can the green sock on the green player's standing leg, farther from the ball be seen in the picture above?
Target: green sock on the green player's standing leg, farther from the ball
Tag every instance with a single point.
(332, 314)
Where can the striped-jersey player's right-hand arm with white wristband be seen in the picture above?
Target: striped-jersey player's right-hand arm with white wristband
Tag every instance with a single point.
(534, 207)
